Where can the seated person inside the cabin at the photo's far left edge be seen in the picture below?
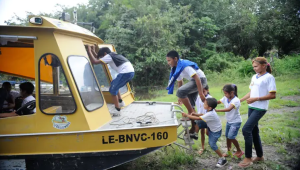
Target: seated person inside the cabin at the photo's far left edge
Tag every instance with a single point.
(9, 104)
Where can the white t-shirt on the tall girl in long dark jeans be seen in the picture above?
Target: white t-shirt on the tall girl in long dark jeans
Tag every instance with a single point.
(261, 86)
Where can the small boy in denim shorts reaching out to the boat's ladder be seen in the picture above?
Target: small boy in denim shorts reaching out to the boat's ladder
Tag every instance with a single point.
(214, 127)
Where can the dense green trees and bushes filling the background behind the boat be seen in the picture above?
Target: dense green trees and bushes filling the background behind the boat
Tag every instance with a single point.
(215, 34)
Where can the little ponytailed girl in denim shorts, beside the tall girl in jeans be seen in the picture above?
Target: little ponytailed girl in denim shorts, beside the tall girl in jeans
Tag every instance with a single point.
(232, 105)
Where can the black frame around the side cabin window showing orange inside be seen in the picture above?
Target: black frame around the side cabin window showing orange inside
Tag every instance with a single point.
(39, 84)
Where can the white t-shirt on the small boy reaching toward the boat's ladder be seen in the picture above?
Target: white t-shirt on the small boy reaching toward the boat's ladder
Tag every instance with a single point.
(212, 120)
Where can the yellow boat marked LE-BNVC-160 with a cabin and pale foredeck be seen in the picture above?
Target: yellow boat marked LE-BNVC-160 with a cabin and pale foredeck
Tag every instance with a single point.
(72, 127)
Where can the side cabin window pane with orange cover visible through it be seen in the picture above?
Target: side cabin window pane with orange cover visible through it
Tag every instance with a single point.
(54, 92)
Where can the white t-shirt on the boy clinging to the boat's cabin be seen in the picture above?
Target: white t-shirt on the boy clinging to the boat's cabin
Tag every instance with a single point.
(124, 68)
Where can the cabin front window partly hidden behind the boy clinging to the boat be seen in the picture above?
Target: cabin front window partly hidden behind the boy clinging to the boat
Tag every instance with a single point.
(103, 79)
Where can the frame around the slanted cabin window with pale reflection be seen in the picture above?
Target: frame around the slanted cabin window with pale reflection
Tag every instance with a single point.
(68, 60)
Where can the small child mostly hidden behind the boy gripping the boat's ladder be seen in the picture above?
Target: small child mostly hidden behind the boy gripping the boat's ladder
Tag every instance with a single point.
(201, 124)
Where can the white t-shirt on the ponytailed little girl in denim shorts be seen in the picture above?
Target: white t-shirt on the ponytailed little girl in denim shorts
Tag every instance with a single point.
(234, 115)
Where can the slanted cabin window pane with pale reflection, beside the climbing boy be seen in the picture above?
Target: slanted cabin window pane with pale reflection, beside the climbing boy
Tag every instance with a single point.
(86, 82)
